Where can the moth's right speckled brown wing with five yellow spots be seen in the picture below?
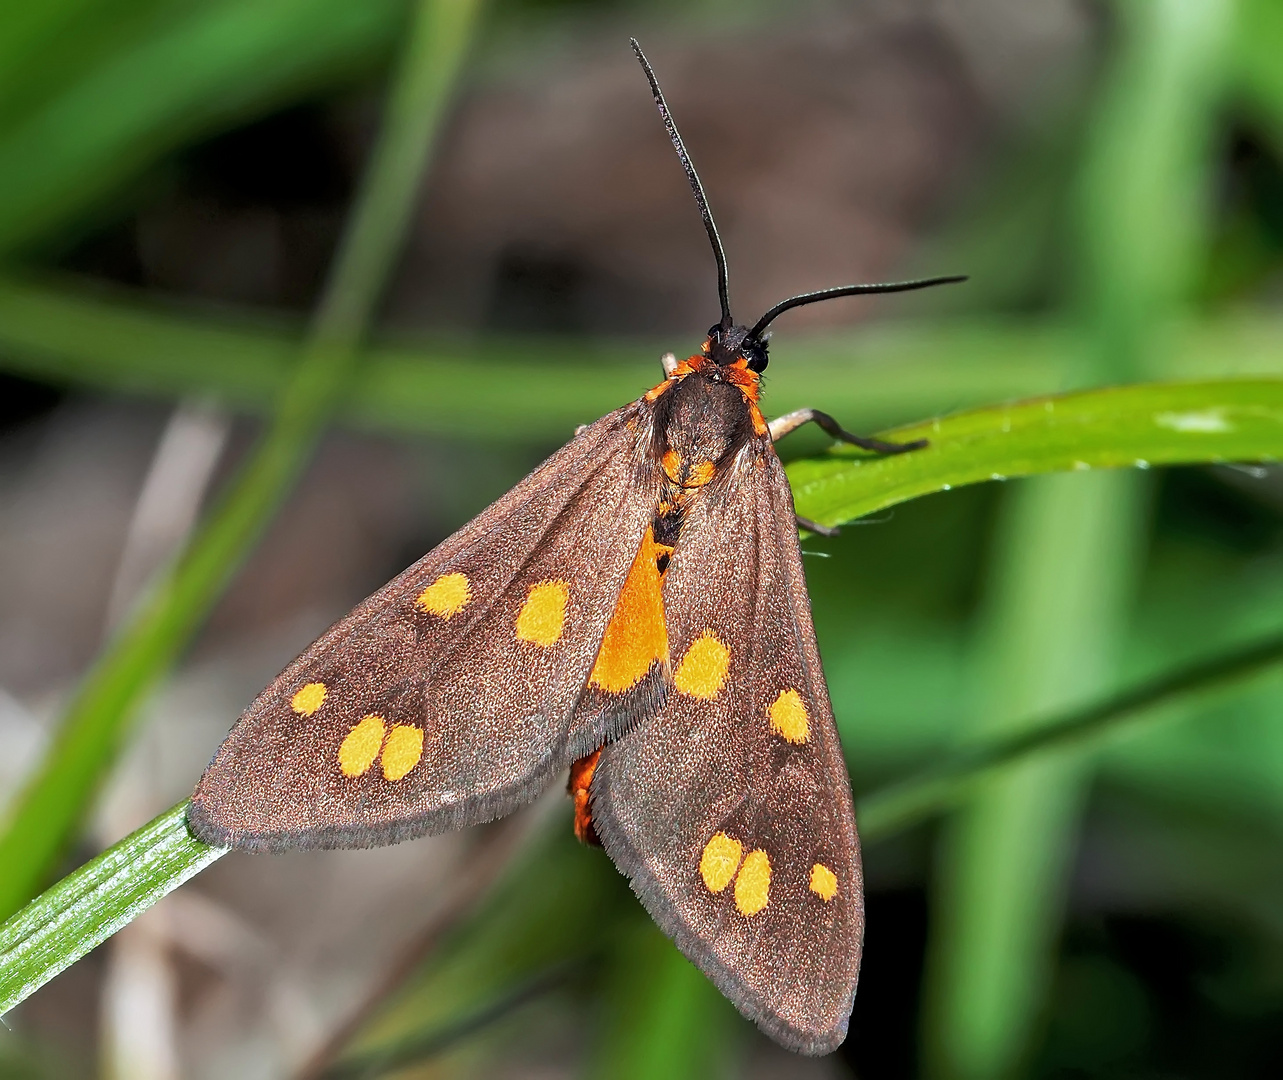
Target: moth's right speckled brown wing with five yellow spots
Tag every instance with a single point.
(731, 811)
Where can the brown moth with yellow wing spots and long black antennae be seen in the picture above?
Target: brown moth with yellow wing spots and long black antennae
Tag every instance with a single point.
(634, 612)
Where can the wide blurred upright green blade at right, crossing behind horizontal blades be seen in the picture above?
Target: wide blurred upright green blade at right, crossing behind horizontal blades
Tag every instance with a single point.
(1069, 550)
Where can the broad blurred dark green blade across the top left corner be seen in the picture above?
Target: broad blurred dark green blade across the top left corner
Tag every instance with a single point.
(220, 62)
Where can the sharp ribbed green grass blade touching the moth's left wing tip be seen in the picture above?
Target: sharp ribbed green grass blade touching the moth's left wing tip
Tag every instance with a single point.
(90, 905)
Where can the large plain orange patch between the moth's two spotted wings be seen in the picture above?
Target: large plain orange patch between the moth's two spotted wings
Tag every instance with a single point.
(636, 637)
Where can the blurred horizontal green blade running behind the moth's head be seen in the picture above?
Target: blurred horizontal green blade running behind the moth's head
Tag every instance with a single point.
(540, 388)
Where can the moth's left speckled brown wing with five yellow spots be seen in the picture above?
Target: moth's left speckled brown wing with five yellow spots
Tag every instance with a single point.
(448, 697)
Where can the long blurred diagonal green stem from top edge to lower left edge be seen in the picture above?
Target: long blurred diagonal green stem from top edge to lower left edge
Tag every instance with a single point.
(97, 721)
